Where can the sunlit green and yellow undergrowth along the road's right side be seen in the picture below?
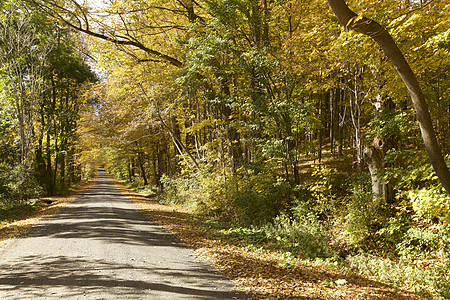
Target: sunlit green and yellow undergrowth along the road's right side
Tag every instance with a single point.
(332, 218)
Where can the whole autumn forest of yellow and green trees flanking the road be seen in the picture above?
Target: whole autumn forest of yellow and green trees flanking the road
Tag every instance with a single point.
(321, 128)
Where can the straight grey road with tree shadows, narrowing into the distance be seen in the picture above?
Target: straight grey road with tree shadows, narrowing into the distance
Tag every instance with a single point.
(101, 247)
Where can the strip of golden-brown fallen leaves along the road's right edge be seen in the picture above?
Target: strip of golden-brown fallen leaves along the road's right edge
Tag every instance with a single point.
(265, 274)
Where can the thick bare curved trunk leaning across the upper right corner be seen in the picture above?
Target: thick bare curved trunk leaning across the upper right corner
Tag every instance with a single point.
(371, 28)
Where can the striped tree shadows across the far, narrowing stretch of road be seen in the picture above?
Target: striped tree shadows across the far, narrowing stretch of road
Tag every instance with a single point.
(103, 213)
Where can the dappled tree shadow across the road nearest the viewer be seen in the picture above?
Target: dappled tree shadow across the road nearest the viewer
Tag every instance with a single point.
(80, 277)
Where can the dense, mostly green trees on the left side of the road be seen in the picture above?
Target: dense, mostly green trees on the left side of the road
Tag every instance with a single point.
(42, 75)
